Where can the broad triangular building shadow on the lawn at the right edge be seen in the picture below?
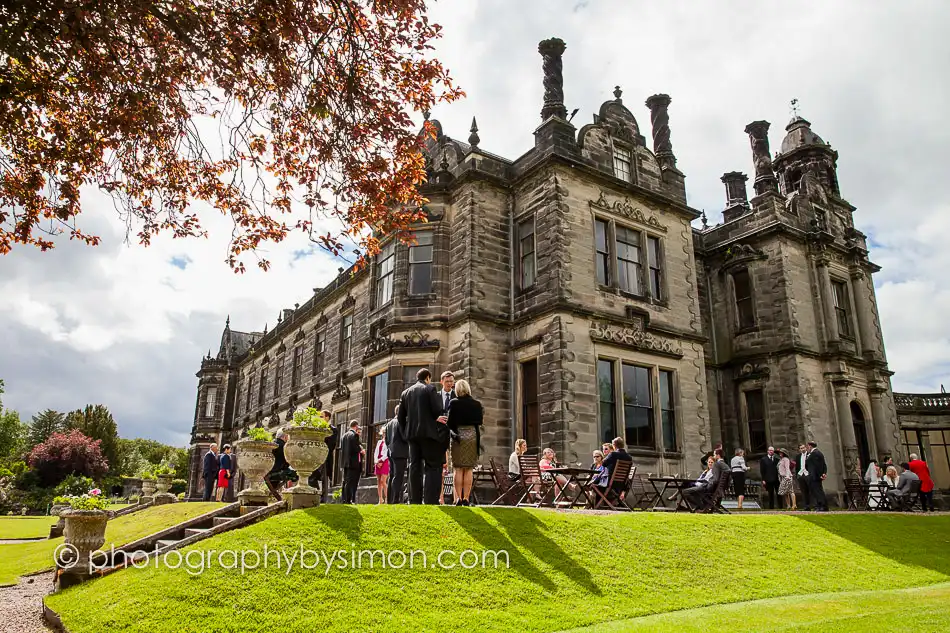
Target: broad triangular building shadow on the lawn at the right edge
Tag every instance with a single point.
(915, 540)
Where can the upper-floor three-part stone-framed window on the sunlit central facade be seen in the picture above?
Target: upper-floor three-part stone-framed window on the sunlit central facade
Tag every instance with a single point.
(613, 276)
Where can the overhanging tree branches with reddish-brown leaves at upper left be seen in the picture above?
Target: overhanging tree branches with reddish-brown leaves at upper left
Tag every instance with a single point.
(310, 101)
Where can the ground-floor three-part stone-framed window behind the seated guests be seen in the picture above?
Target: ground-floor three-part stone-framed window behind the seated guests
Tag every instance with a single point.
(617, 361)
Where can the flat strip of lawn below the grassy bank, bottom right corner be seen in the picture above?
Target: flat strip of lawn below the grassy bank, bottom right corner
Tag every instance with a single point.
(927, 608)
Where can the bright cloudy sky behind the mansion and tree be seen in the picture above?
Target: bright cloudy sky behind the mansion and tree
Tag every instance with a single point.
(127, 326)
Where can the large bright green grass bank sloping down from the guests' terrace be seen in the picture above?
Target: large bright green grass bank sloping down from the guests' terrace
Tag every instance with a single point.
(567, 570)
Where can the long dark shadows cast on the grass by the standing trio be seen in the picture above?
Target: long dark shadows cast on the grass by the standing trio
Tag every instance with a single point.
(525, 531)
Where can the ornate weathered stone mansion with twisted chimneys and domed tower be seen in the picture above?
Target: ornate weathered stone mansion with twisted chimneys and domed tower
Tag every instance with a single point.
(571, 289)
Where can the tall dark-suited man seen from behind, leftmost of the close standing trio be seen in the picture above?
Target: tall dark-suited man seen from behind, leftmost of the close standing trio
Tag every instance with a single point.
(422, 418)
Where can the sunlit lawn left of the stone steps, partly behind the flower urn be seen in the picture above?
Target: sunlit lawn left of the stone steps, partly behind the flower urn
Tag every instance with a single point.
(26, 558)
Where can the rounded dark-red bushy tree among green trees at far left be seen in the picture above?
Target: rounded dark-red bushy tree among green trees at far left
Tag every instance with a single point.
(67, 454)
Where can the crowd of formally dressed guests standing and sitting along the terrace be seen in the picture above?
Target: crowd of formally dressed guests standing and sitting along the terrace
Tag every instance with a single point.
(434, 425)
